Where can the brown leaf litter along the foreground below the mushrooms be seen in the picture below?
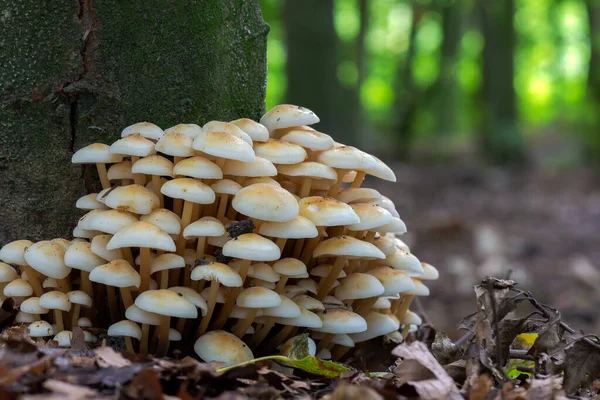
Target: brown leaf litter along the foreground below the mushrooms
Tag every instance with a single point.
(501, 356)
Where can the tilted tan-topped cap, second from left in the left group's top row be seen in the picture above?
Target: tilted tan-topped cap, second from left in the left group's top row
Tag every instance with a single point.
(47, 257)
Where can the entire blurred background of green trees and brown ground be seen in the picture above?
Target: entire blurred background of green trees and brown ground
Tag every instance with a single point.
(487, 110)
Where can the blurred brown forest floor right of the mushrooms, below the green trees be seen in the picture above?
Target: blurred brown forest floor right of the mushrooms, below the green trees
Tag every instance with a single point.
(540, 229)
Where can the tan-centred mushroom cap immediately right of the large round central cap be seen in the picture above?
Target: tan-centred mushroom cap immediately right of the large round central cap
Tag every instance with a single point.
(324, 211)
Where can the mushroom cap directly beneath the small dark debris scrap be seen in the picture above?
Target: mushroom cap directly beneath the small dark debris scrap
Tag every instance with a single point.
(251, 246)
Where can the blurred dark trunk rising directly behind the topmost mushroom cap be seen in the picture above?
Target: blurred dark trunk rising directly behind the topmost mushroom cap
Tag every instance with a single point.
(312, 60)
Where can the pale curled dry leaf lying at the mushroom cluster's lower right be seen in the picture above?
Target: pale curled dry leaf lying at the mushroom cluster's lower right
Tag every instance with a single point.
(427, 376)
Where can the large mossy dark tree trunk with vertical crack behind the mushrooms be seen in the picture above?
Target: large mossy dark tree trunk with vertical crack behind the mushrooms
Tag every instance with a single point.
(78, 72)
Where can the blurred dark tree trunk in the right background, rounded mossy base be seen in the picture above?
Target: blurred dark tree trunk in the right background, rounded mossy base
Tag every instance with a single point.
(501, 140)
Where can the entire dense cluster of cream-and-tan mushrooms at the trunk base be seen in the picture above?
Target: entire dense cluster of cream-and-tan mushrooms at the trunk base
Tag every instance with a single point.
(234, 236)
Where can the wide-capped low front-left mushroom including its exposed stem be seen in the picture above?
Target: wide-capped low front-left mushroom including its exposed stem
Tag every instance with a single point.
(166, 303)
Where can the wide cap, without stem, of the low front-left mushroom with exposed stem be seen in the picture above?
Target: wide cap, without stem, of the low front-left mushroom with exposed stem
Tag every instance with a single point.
(166, 302)
